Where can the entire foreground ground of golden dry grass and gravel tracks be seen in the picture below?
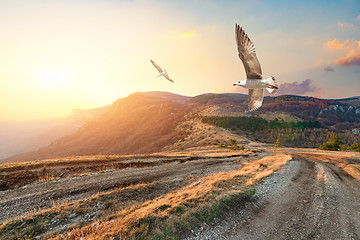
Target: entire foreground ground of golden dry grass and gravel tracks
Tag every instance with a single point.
(207, 193)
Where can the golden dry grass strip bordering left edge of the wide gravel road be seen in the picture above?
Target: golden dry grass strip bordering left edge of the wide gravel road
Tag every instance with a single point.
(172, 214)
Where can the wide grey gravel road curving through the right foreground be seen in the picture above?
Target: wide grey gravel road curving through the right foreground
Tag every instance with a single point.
(308, 199)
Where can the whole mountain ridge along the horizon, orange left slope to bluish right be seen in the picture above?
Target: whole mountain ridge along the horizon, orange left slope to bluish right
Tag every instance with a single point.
(146, 122)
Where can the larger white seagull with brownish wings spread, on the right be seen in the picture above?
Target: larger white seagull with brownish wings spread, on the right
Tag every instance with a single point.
(254, 80)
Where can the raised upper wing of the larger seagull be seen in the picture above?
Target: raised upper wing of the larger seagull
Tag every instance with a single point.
(247, 54)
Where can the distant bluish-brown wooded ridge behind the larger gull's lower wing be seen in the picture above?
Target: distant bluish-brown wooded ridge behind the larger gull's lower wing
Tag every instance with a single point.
(339, 114)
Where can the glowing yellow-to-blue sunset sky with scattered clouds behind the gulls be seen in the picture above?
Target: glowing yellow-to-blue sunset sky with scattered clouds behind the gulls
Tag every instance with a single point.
(60, 55)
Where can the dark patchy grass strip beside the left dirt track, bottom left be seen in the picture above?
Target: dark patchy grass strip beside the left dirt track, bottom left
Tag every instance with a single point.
(65, 215)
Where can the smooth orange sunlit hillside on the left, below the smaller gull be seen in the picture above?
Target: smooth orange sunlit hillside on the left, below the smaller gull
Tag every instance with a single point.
(139, 123)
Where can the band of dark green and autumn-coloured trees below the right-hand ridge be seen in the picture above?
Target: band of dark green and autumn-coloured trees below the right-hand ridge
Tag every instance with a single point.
(303, 134)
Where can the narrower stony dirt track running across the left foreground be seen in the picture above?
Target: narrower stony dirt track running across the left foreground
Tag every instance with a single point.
(39, 196)
